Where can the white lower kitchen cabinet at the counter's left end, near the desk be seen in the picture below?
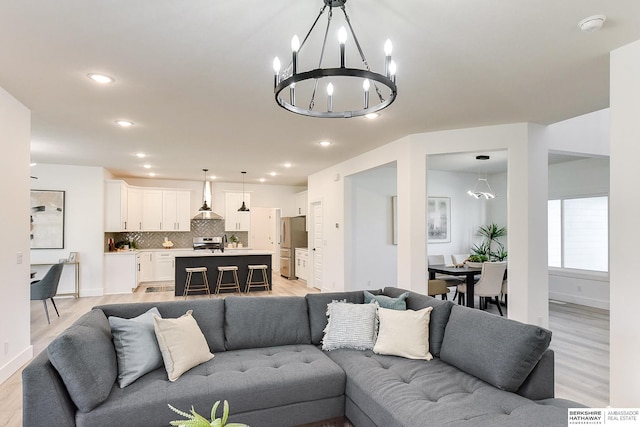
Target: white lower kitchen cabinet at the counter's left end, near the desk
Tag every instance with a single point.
(120, 272)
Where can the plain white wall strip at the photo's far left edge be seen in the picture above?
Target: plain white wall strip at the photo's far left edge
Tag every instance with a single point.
(15, 342)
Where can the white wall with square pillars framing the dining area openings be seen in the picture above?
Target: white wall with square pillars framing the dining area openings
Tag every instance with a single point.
(527, 196)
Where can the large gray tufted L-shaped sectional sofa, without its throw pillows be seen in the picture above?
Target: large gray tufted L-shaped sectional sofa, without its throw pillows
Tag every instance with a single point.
(486, 370)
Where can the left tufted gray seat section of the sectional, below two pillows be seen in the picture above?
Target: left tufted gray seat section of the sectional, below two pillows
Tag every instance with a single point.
(258, 383)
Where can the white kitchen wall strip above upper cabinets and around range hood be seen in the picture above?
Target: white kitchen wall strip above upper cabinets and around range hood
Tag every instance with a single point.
(262, 195)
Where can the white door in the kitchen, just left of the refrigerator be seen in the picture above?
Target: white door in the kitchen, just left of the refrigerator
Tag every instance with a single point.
(264, 232)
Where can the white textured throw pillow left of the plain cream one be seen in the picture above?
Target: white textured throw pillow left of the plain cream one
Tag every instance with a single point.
(350, 326)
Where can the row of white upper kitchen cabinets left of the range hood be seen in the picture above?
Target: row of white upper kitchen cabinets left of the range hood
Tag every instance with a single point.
(145, 209)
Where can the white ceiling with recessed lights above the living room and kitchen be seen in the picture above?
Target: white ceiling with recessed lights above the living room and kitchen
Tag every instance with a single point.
(195, 76)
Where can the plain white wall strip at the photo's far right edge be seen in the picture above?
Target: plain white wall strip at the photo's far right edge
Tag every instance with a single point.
(624, 234)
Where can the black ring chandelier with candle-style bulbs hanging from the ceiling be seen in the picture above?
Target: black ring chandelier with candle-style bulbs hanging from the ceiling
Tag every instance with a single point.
(349, 102)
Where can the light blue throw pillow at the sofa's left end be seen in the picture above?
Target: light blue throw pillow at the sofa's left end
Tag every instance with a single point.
(136, 346)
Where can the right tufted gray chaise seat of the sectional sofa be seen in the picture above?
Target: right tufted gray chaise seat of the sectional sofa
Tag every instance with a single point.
(392, 391)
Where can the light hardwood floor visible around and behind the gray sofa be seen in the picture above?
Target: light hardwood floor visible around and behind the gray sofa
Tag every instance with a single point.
(580, 340)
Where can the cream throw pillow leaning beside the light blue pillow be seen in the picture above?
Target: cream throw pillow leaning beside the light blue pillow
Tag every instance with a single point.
(182, 344)
